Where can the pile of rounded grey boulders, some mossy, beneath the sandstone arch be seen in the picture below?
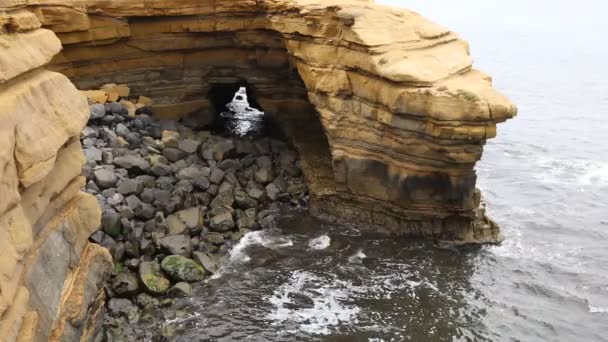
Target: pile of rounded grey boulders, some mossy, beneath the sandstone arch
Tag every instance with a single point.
(175, 198)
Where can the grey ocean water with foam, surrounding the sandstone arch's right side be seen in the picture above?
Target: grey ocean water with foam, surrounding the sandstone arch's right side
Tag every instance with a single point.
(545, 178)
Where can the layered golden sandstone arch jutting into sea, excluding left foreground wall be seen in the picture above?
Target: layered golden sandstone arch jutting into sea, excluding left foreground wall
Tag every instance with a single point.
(403, 116)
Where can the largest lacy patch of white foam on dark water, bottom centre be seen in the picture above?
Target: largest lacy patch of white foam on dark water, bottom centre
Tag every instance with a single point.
(327, 310)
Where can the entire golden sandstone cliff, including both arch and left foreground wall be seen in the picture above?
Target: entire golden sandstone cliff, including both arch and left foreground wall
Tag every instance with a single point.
(384, 106)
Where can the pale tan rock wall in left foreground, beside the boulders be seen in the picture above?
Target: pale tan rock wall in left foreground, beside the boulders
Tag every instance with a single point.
(45, 221)
